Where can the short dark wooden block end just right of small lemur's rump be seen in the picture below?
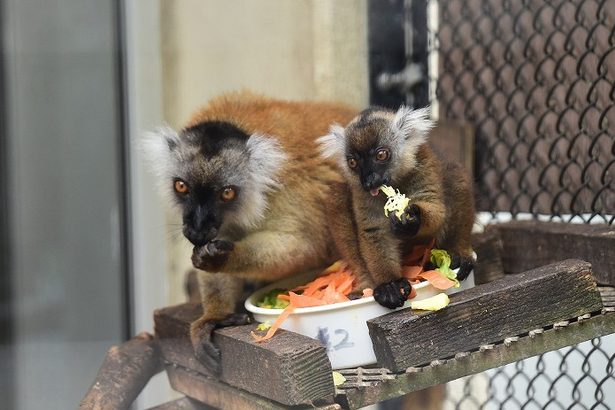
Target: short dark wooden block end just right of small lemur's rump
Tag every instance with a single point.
(488, 247)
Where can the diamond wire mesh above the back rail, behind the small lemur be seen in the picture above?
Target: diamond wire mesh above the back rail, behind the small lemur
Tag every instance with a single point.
(536, 80)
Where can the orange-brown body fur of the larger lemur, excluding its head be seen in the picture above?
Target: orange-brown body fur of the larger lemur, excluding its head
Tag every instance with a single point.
(293, 235)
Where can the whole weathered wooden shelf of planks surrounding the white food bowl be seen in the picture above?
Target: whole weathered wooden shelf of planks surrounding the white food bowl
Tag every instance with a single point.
(530, 302)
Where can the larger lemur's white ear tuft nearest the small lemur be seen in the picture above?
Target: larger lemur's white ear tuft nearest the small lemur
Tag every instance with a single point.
(266, 157)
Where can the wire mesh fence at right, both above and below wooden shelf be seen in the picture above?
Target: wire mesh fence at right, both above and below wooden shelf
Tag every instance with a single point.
(536, 80)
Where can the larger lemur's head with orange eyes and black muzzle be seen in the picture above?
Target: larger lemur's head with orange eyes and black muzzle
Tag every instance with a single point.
(217, 174)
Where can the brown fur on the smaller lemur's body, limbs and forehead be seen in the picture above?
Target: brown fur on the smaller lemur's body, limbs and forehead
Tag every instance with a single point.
(362, 233)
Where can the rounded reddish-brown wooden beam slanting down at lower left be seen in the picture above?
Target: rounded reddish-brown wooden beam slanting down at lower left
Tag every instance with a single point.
(125, 371)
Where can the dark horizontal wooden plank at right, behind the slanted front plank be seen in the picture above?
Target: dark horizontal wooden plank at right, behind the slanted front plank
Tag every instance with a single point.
(529, 244)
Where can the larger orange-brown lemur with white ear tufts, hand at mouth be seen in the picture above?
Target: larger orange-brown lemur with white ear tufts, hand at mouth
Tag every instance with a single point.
(246, 175)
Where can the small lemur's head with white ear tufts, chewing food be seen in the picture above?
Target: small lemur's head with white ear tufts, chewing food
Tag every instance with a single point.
(378, 146)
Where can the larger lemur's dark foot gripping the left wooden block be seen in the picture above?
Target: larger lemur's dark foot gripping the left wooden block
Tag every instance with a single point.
(201, 336)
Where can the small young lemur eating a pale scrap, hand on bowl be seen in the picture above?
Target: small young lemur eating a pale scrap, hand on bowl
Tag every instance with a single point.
(382, 147)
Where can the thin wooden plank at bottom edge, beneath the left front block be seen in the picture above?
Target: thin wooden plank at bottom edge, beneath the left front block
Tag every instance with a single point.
(220, 395)
